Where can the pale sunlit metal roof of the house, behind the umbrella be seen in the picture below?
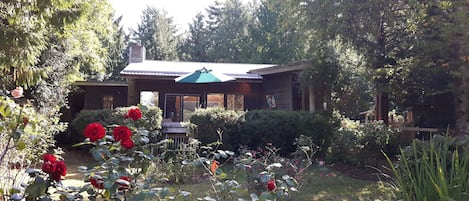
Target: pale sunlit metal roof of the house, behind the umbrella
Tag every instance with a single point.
(173, 69)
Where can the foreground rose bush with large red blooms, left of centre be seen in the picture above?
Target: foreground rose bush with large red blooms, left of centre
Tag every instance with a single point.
(123, 153)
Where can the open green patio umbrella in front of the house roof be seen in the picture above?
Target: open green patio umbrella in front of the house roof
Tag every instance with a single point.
(203, 76)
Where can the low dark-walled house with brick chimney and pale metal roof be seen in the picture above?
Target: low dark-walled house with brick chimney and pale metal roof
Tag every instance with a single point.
(150, 82)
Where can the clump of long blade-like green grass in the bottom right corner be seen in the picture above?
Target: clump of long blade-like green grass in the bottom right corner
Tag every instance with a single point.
(437, 169)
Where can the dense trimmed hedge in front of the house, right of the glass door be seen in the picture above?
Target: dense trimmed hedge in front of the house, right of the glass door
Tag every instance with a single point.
(258, 127)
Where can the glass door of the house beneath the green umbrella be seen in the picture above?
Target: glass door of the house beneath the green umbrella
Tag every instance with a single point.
(179, 107)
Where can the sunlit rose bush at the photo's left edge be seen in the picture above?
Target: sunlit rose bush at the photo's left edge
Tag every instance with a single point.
(25, 135)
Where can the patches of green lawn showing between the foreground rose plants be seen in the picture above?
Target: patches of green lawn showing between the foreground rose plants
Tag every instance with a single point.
(318, 184)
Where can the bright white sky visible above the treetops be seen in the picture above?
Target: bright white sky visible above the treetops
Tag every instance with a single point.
(182, 11)
